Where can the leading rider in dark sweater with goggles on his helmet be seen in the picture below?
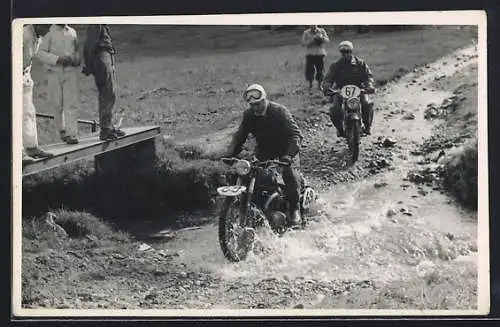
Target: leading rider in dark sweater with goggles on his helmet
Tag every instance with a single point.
(278, 137)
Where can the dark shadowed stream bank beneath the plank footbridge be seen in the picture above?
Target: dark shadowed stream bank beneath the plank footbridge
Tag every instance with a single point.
(180, 180)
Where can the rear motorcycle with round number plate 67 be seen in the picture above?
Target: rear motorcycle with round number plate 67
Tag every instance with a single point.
(352, 123)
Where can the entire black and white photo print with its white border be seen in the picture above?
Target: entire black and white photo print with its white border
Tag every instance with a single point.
(251, 165)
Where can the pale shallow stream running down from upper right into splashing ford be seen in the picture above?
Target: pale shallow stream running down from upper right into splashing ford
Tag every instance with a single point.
(350, 234)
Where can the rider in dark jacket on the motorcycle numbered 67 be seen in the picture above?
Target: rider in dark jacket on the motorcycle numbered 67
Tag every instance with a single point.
(349, 69)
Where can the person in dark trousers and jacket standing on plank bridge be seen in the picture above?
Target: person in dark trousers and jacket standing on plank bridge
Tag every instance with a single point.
(99, 60)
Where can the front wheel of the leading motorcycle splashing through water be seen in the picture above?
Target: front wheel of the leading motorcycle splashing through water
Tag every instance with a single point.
(235, 243)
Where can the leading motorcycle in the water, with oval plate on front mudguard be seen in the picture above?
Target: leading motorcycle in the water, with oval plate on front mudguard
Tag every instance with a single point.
(255, 199)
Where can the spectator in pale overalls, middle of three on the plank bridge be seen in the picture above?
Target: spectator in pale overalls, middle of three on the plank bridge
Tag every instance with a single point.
(62, 41)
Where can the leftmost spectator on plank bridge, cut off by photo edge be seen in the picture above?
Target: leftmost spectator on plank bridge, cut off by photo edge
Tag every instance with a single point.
(32, 36)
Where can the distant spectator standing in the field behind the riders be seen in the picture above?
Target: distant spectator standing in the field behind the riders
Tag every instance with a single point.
(314, 39)
